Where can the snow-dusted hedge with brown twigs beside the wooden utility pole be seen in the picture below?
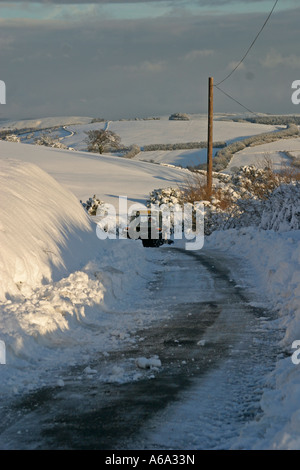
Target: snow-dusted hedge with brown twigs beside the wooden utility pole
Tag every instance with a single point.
(251, 197)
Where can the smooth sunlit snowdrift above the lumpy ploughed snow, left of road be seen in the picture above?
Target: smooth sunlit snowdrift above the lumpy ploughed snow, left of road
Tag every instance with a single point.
(45, 235)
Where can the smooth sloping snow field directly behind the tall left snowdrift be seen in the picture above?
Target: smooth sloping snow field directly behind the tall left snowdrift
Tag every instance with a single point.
(86, 174)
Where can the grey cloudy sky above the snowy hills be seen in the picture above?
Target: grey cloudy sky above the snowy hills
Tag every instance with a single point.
(117, 59)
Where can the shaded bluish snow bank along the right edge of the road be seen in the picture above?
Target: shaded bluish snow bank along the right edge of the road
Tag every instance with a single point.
(272, 260)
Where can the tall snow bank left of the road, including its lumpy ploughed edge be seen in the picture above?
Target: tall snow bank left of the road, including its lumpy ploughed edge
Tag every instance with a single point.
(64, 294)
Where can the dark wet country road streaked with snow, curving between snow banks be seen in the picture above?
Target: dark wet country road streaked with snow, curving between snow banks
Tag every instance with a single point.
(190, 381)
